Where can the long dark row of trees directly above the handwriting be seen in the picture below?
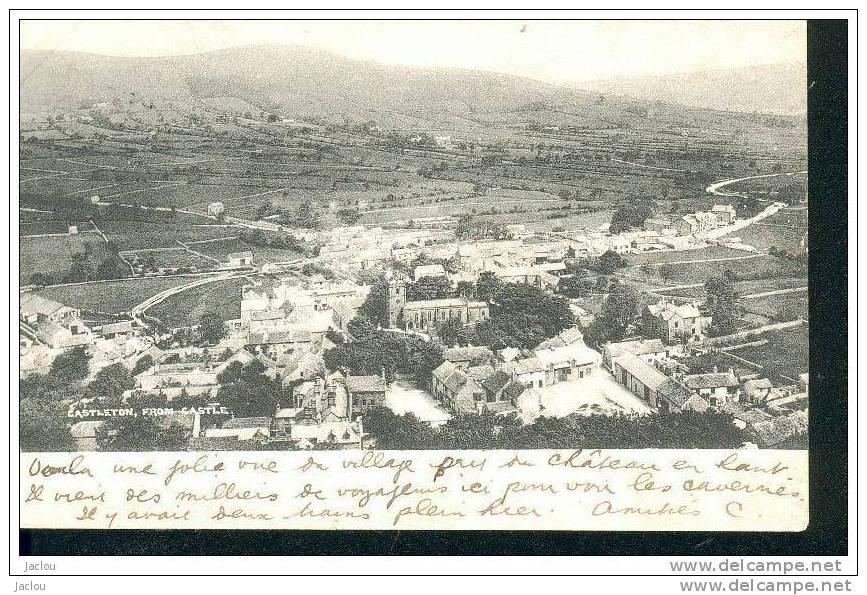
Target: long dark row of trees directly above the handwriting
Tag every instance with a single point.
(486, 431)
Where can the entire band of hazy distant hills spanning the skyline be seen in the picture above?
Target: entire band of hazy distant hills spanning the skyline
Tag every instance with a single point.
(299, 79)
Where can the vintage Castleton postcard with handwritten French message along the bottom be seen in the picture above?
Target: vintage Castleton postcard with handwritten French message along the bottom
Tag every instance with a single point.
(413, 274)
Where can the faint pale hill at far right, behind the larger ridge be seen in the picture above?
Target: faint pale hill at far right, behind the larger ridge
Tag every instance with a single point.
(774, 89)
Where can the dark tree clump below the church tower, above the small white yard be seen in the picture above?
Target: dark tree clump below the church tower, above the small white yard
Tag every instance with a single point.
(392, 352)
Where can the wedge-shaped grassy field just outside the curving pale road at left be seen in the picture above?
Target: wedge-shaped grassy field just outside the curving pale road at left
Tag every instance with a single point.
(111, 296)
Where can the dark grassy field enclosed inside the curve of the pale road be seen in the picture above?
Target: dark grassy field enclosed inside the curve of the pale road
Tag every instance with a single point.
(186, 308)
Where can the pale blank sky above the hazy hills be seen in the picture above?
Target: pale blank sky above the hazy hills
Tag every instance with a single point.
(559, 52)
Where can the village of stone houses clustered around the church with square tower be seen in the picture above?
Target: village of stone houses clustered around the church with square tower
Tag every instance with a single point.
(405, 317)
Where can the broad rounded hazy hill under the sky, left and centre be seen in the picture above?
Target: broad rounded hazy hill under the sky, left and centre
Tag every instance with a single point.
(289, 79)
